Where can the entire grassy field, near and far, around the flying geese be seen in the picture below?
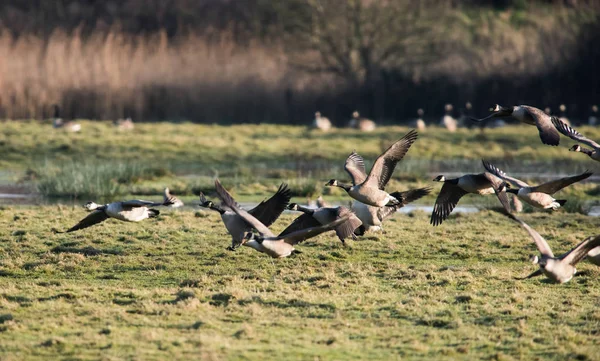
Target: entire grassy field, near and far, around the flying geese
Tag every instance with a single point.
(168, 289)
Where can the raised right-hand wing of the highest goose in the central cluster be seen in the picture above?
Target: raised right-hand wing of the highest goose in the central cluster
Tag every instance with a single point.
(386, 163)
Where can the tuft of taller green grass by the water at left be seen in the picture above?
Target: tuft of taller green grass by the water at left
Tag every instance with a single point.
(98, 180)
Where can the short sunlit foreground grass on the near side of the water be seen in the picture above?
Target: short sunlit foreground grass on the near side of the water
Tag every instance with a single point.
(168, 289)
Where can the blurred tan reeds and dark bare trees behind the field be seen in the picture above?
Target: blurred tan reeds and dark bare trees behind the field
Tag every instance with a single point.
(227, 61)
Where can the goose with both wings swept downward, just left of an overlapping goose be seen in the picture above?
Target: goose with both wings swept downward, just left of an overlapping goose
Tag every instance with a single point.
(454, 189)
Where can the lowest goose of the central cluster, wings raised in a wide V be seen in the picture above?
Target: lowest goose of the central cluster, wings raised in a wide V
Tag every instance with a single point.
(267, 242)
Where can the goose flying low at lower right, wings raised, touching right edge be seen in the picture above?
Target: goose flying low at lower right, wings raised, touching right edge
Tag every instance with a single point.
(560, 269)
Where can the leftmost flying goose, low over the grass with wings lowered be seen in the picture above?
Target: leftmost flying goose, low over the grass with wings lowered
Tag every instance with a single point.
(128, 211)
